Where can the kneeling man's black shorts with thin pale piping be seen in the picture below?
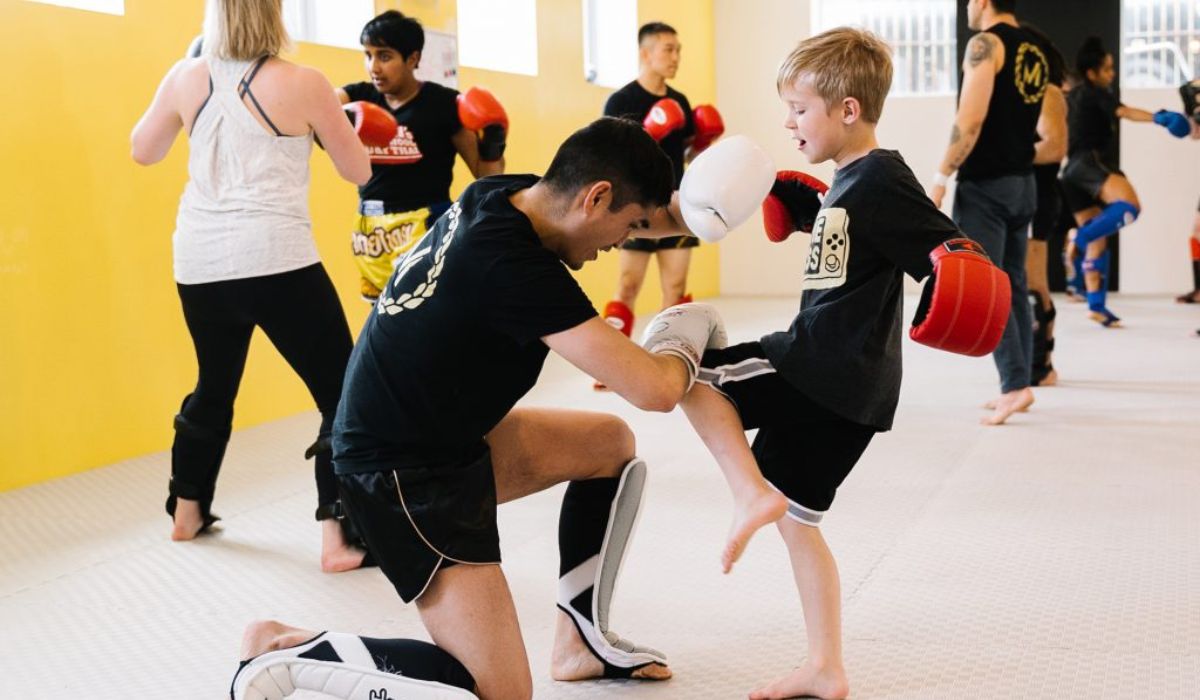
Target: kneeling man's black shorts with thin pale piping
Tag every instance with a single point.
(418, 520)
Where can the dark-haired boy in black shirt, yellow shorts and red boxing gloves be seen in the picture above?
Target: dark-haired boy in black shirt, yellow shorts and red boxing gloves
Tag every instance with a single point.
(410, 187)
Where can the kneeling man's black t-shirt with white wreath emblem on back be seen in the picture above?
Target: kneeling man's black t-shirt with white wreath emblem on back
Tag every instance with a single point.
(455, 339)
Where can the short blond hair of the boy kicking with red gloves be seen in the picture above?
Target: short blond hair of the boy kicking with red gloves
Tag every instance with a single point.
(843, 63)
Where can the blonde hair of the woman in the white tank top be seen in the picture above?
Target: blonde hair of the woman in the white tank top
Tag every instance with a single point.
(243, 31)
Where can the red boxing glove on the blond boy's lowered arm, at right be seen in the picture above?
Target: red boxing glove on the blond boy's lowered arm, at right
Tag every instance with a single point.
(964, 308)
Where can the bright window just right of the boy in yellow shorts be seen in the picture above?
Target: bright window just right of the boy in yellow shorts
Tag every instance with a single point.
(499, 35)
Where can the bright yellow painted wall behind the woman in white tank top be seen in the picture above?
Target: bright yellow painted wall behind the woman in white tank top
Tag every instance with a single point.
(94, 354)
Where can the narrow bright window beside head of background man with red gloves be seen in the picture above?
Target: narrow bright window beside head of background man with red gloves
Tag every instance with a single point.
(610, 43)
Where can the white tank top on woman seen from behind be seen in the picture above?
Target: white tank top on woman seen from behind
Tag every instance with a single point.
(245, 210)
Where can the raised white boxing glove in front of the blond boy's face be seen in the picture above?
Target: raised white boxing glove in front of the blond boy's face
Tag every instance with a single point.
(724, 187)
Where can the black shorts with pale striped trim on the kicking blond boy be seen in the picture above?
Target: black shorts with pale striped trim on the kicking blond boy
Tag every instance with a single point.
(803, 450)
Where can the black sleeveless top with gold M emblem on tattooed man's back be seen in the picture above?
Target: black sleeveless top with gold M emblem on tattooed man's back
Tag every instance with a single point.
(1011, 128)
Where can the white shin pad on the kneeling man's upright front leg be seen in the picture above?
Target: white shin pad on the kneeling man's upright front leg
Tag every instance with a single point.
(620, 657)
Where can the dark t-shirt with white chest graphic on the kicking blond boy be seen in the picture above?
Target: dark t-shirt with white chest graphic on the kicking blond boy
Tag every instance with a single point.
(843, 349)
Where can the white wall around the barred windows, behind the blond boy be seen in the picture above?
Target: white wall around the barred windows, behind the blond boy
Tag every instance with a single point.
(754, 38)
